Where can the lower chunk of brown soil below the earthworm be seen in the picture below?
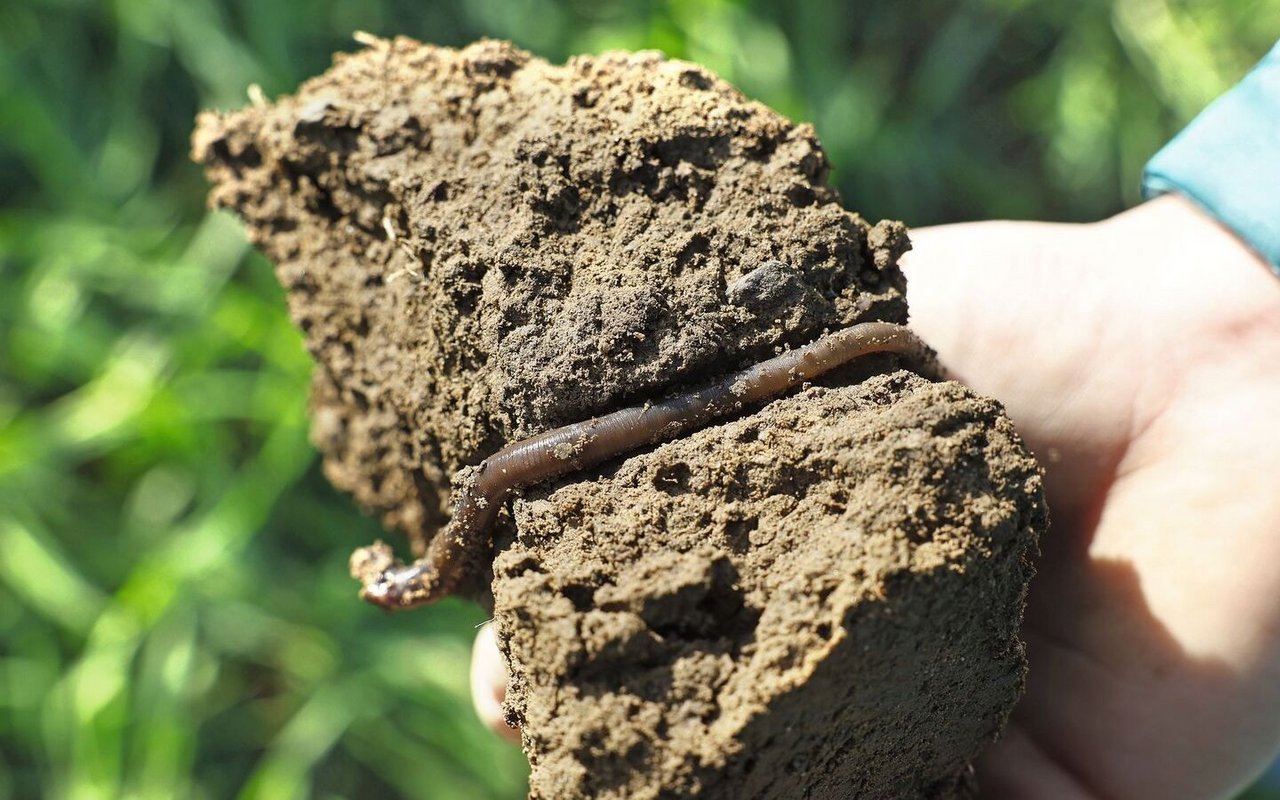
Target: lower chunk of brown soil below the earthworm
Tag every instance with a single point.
(817, 601)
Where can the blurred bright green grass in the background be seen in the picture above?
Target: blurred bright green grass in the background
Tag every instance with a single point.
(176, 619)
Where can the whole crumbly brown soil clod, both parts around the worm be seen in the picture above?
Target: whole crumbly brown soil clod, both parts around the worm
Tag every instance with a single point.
(817, 600)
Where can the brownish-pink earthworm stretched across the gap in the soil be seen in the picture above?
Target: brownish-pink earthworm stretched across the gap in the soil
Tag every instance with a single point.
(580, 446)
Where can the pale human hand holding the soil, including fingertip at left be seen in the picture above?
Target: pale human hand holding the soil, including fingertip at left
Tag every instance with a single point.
(1141, 360)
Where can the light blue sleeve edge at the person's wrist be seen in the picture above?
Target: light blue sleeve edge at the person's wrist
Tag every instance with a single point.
(1228, 161)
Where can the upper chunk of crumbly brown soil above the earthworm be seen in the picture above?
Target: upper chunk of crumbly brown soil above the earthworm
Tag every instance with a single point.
(481, 246)
